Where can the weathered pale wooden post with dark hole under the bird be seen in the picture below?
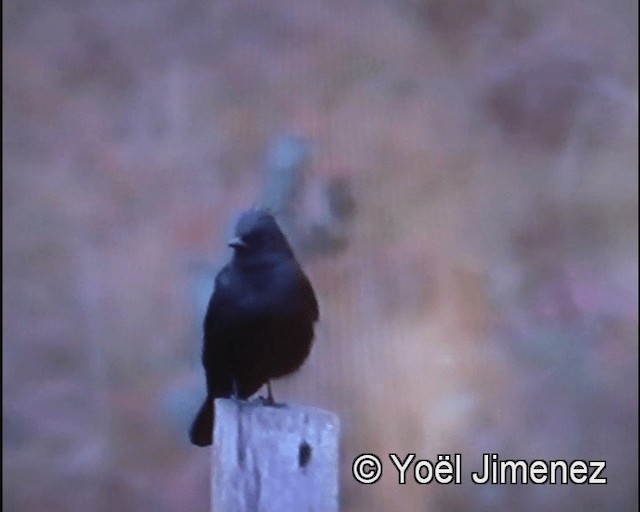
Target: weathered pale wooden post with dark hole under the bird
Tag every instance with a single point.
(274, 459)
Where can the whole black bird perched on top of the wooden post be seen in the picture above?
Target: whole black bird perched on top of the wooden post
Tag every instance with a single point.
(259, 322)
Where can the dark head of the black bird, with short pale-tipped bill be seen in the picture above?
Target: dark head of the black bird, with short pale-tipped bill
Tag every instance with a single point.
(258, 235)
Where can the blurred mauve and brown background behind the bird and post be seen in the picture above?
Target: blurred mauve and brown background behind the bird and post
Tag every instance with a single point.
(458, 177)
